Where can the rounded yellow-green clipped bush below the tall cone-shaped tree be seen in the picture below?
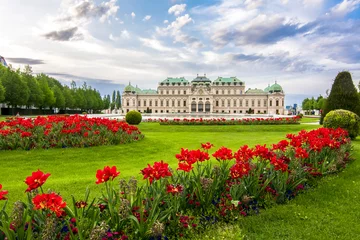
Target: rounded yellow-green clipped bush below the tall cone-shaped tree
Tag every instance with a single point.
(344, 119)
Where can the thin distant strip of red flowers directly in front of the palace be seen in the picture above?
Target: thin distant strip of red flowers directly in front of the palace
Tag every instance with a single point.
(223, 121)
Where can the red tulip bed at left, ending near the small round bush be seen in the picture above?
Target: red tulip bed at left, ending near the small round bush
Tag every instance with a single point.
(64, 131)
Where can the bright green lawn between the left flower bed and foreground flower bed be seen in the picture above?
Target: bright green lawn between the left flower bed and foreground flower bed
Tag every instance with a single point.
(73, 169)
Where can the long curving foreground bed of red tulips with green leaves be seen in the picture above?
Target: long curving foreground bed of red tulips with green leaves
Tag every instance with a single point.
(178, 203)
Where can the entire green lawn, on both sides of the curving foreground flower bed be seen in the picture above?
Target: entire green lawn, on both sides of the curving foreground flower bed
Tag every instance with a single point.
(329, 211)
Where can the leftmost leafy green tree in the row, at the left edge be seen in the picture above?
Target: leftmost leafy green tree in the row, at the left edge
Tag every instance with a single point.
(16, 90)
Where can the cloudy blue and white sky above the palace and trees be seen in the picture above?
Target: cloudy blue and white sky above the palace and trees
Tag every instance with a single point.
(301, 44)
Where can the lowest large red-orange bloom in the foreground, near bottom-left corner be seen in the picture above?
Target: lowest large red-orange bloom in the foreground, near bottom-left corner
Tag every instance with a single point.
(51, 201)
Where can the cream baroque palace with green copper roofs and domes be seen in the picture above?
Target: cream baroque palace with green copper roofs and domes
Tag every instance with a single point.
(201, 95)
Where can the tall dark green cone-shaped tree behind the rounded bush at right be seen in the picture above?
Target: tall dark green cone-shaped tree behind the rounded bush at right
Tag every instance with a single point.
(343, 95)
